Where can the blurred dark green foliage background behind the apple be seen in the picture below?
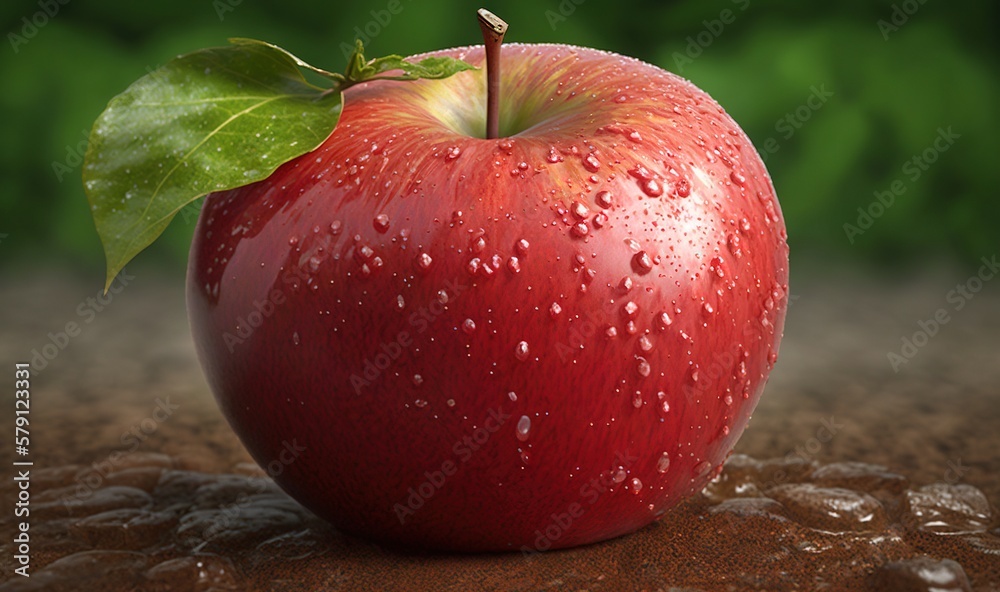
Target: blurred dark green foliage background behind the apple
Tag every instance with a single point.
(925, 67)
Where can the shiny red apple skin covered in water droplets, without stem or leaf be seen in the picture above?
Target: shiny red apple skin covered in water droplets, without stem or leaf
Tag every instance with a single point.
(670, 293)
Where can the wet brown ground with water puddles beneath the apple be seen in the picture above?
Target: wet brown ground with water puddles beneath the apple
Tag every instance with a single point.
(851, 476)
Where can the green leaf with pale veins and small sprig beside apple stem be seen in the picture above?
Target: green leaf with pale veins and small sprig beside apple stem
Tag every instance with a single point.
(212, 120)
